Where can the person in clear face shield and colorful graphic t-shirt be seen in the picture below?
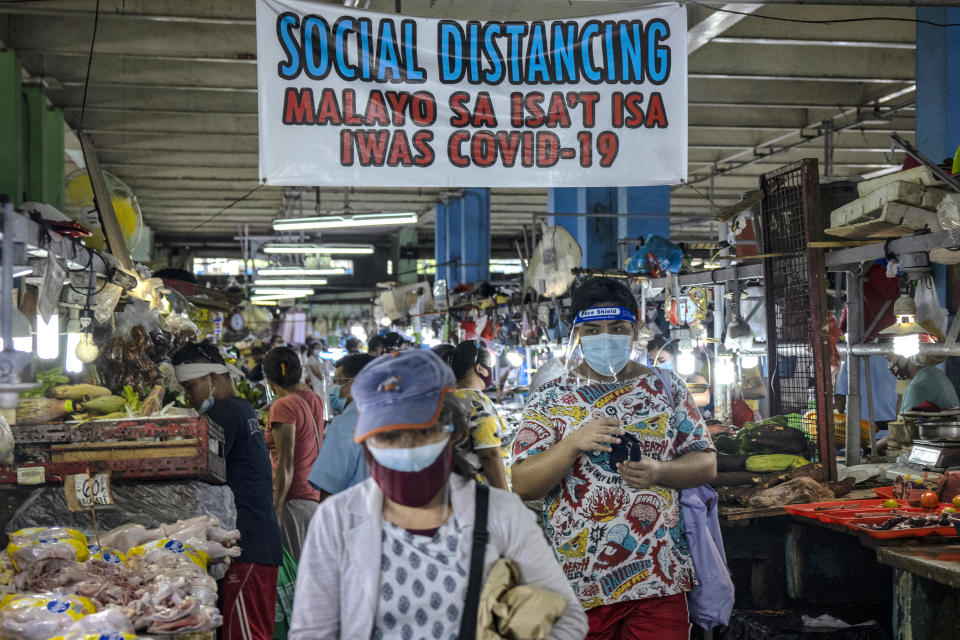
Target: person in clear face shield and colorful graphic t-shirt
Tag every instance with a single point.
(608, 445)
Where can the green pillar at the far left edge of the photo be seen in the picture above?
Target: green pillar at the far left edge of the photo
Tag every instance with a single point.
(12, 153)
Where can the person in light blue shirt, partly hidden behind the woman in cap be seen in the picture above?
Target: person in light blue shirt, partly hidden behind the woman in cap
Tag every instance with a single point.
(341, 464)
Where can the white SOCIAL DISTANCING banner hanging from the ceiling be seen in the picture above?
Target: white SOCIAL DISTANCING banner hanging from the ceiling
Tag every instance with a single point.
(351, 97)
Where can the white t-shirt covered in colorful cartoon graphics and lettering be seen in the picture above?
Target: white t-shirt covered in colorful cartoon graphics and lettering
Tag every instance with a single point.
(616, 543)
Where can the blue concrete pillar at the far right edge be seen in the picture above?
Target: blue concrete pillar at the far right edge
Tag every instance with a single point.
(938, 96)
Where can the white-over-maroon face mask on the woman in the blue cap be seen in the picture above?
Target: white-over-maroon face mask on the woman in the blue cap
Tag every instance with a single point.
(412, 488)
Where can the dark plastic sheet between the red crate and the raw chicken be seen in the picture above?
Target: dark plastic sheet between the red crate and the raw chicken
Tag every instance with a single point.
(150, 504)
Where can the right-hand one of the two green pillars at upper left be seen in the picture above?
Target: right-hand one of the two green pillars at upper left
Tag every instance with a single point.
(44, 147)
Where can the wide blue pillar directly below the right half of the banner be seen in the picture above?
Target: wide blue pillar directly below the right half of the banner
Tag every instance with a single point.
(598, 235)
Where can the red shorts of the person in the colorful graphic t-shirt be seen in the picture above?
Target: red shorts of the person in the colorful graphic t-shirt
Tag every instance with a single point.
(649, 619)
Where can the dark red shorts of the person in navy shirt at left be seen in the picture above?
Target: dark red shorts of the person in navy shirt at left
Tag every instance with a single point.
(248, 597)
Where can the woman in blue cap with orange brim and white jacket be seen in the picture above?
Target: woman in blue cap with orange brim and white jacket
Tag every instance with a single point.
(390, 557)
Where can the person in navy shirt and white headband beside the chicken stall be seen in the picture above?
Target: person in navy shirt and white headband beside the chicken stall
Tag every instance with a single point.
(248, 590)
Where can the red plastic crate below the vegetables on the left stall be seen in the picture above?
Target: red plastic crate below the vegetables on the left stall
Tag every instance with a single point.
(145, 448)
